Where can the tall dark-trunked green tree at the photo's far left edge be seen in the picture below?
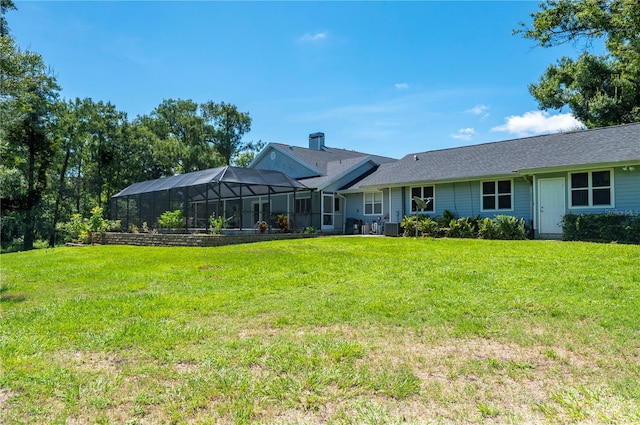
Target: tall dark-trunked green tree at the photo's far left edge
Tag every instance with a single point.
(28, 95)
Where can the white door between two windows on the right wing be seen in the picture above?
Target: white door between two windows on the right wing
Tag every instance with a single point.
(551, 205)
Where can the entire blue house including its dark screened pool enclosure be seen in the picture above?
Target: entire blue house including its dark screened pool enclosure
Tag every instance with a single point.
(539, 179)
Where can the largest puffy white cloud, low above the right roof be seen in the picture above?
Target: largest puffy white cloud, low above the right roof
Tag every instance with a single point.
(538, 122)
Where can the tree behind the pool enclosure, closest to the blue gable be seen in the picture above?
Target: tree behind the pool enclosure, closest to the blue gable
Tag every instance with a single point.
(229, 125)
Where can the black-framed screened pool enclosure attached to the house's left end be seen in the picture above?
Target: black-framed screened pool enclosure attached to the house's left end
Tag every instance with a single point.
(243, 196)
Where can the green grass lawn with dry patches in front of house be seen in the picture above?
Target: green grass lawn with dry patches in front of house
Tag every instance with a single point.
(341, 330)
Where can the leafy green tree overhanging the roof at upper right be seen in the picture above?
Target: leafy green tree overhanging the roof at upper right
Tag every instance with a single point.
(601, 90)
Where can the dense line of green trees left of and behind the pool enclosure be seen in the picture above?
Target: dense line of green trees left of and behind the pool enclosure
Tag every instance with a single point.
(61, 156)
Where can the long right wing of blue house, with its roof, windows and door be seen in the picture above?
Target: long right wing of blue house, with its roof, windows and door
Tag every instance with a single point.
(538, 178)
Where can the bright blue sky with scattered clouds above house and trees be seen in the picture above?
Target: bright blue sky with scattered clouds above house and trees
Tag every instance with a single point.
(389, 78)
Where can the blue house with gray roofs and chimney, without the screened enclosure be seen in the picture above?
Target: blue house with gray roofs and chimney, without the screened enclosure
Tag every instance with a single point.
(539, 178)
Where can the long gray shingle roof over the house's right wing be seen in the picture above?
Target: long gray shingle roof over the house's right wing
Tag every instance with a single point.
(580, 148)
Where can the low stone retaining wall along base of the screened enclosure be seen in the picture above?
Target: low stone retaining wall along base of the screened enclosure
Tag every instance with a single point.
(158, 239)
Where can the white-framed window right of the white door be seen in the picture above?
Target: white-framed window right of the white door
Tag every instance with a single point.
(591, 188)
